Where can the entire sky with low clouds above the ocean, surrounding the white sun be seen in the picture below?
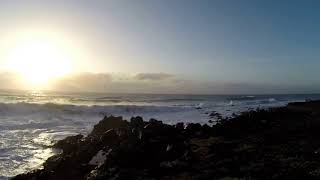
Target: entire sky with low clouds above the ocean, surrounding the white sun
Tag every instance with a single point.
(172, 46)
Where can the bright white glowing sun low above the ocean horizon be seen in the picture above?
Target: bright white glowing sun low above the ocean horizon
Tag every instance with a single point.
(38, 62)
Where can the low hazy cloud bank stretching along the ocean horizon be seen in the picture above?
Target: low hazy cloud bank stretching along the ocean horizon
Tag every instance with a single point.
(151, 83)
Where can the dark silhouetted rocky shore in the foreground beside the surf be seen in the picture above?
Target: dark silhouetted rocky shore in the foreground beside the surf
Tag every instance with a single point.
(277, 143)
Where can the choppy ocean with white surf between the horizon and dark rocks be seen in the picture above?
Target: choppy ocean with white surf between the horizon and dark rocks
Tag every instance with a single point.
(31, 121)
